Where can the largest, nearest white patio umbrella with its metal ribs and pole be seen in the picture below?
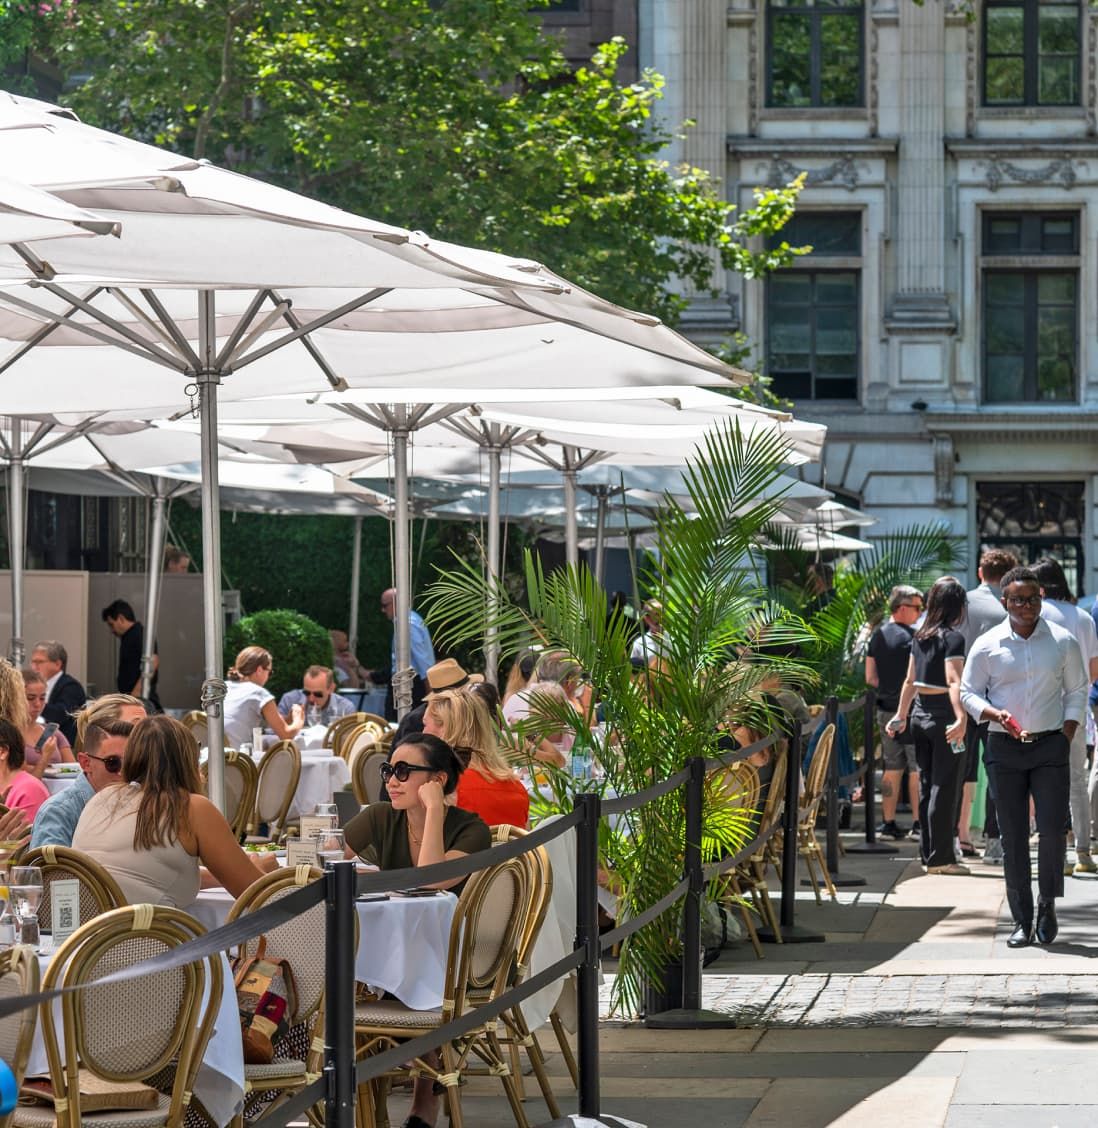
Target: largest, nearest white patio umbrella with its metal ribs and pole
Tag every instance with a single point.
(218, 278)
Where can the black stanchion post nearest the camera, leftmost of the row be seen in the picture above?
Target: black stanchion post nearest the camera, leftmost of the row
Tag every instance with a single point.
(339, 995)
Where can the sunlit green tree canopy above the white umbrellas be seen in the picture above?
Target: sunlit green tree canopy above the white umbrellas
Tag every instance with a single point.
(462, 119)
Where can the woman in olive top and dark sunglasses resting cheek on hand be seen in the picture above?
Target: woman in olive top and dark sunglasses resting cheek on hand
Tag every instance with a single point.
(418, 827)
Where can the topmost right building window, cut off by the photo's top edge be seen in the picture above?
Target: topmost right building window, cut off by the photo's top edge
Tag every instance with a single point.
(1032, 52)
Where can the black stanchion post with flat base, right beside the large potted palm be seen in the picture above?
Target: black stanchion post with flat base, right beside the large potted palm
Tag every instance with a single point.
(691, 1016)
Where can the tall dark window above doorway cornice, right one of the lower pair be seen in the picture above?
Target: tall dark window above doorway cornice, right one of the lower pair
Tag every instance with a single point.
(1031, 307)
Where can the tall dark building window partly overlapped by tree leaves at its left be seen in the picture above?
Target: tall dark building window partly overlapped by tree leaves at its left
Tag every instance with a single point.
(813, 311)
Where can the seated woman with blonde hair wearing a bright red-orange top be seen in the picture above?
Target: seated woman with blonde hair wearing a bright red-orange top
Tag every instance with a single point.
(488, 787)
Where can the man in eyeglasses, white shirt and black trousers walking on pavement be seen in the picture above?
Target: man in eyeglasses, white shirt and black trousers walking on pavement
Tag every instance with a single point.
(1026, 678)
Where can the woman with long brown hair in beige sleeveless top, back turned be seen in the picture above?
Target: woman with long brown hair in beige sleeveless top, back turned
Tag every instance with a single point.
(156, 830)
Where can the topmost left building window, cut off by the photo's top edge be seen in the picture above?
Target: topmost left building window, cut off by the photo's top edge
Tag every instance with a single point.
(814, 54)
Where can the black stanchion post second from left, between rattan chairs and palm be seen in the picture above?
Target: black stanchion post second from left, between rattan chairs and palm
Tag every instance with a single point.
(587, 939)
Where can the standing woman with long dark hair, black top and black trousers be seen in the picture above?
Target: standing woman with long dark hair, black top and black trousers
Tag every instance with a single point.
(938, 721)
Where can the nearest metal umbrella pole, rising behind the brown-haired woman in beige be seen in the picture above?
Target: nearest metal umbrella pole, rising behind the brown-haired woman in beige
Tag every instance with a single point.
(214, 688)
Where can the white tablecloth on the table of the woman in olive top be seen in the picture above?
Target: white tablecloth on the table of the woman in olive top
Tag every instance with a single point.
(403, 942)
